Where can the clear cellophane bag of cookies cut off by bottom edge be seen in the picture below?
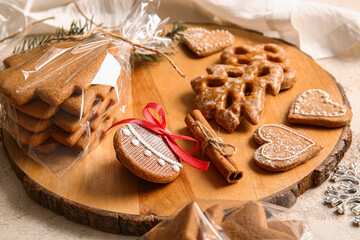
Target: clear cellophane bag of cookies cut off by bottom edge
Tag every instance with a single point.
(207, 219)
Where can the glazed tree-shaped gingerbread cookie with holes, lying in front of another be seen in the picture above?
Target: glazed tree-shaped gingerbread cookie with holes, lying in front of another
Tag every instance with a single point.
(229, 92)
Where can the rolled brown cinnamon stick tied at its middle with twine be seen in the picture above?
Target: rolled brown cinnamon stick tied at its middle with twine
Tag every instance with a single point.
(196, 123)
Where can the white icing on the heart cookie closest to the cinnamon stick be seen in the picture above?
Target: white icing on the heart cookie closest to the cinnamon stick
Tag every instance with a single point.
(283, 143)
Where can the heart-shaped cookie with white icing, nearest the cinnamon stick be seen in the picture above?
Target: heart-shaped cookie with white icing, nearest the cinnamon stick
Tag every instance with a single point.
(282, 148)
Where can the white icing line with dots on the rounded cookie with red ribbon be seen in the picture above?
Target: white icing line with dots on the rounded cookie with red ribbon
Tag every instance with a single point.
(150, 150)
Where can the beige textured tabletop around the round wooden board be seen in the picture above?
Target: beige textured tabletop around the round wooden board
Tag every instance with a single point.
(21, 218)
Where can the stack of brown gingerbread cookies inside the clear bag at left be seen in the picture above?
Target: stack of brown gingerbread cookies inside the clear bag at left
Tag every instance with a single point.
(49, 101)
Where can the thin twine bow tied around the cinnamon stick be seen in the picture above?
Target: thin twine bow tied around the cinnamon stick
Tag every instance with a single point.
(216, 142)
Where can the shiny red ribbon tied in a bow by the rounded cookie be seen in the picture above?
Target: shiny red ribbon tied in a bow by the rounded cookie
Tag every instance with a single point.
(159, 128)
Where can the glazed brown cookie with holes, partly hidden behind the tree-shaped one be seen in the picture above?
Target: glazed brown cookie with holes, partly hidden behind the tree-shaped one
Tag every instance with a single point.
(245, 55)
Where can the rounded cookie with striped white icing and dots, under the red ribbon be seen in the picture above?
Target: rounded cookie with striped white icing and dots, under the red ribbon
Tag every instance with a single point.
(146, 154)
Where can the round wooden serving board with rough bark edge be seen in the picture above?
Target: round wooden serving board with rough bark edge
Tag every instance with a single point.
(100, 192)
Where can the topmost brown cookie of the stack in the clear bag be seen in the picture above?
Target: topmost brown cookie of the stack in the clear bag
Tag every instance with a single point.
(68, 71)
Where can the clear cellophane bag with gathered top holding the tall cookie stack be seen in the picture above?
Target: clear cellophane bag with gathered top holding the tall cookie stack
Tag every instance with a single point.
(57, 100)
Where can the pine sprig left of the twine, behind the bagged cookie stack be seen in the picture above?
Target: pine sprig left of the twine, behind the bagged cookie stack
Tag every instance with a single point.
(76, 28)
